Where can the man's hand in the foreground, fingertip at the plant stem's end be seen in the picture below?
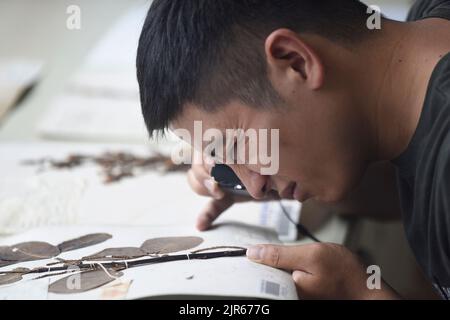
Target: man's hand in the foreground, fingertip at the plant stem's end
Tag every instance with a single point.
(321, 271)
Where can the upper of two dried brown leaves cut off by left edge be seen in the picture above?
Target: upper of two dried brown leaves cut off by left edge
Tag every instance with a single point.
(28, 251)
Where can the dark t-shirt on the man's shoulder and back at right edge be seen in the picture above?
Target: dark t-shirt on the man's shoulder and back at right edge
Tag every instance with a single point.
(424, 169)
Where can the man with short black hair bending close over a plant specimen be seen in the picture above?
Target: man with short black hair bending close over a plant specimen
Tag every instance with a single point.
(347, 100)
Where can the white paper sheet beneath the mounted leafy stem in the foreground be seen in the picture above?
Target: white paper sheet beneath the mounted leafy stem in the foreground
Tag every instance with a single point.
(226, 277)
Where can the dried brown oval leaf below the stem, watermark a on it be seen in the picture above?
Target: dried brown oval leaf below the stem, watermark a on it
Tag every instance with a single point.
(87, 281)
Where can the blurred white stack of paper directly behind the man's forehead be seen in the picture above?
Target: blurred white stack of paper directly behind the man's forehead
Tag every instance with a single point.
(101, 101)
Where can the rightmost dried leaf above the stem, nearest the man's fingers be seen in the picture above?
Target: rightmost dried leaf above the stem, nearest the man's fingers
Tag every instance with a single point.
(170, 244)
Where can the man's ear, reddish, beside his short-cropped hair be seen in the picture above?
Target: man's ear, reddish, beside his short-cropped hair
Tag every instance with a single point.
(287, 54)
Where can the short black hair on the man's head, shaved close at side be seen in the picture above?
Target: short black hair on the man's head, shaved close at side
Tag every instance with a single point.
(211, 52)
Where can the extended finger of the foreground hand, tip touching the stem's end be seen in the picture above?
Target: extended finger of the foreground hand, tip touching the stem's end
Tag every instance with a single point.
(283, 257)
